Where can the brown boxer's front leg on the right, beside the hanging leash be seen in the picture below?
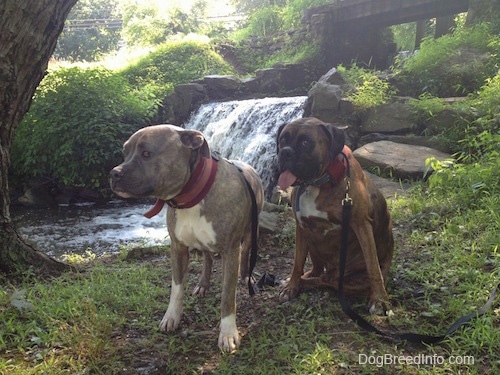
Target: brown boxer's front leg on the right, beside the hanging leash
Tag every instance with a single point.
(379, 301)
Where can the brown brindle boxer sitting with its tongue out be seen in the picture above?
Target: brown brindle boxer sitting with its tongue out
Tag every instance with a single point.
(311, 157)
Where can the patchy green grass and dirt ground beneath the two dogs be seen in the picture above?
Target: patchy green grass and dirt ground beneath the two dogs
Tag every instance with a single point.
(104, 320)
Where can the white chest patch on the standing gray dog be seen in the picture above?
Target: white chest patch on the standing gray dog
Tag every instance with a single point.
(193, 229)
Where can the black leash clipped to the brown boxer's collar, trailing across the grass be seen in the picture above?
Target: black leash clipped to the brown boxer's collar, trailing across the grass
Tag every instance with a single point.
(363, 323)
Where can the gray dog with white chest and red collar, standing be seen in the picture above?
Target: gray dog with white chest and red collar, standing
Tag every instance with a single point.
(209, 210)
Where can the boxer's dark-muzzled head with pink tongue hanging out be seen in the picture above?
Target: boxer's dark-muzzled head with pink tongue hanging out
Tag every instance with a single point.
(305, 149)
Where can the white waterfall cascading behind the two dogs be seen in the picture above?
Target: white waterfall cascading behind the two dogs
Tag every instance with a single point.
(246, 130)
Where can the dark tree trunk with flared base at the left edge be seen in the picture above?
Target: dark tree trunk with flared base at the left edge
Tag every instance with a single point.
(28, 36)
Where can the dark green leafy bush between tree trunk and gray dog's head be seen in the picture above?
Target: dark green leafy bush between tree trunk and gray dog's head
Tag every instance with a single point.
(76, 126)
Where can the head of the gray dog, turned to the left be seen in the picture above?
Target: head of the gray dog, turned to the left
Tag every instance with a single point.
(158, 162)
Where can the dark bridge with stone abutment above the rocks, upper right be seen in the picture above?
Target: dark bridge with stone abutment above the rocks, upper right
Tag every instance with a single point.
(348, 30)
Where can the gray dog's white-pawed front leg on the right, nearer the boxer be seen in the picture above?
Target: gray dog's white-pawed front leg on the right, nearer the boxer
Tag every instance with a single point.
(229, 338)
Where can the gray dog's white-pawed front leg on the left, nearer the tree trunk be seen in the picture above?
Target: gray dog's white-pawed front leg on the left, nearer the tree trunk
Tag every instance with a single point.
(180, 262)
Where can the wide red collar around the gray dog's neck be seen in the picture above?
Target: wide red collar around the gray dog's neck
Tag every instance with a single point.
(194, 191)
